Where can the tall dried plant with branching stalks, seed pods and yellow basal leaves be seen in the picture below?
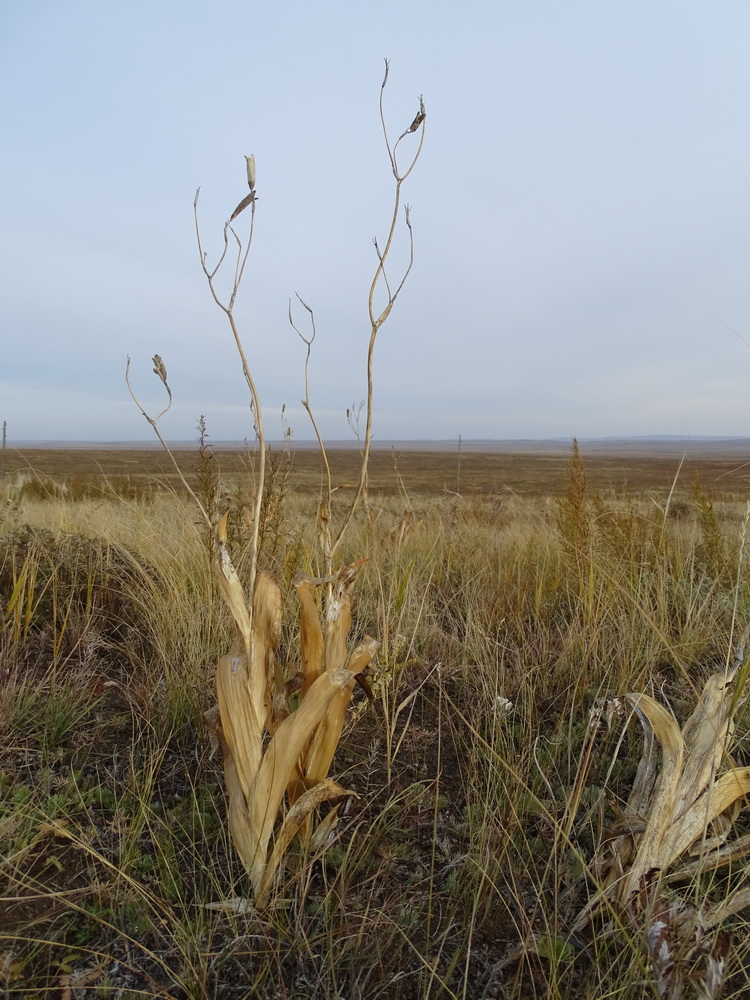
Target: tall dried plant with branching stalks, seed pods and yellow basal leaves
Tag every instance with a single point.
(269, 751)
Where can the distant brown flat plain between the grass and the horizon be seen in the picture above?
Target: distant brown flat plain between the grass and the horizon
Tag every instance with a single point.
(629, 468)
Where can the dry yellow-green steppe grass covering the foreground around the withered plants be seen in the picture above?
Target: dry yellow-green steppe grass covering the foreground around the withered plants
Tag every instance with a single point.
(463, 867)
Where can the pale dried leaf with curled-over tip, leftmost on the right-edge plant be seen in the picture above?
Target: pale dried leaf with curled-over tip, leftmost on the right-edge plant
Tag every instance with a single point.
(662, 807)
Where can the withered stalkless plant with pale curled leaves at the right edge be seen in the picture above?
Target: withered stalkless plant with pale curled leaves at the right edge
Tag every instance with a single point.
(678, 825)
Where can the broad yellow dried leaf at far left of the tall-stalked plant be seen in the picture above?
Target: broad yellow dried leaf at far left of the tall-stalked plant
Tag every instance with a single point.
(242, 727)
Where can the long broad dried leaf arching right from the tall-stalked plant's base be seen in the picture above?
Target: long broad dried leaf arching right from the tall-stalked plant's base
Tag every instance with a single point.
(282, 755)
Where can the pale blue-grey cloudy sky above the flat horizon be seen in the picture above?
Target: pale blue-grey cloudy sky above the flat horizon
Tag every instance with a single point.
(580, 211)
